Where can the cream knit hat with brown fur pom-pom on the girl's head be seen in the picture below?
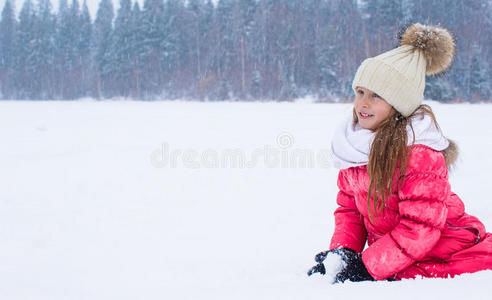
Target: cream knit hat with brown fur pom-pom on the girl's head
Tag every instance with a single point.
(398, 75)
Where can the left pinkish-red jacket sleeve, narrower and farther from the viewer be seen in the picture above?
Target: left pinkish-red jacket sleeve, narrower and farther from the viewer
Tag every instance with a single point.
(350, 231)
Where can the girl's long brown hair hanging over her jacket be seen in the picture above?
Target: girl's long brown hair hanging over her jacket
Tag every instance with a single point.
(389, 151)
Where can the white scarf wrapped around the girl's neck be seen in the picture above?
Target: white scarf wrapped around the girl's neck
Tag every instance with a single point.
(350, 146)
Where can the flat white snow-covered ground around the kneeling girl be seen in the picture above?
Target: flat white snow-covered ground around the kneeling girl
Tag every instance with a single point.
(137, 200)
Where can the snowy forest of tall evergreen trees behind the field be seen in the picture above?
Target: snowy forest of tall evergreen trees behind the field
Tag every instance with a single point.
(231, 50)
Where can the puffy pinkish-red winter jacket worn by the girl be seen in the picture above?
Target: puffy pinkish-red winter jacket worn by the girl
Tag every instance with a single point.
(423, 229)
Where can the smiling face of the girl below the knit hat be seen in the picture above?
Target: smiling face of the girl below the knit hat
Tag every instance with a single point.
(370, 108)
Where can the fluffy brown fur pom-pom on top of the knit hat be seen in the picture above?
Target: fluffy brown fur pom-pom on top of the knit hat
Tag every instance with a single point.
(436, 43)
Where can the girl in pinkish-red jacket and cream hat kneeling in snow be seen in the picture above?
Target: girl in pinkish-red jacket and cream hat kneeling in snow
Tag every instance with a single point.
(394, 160)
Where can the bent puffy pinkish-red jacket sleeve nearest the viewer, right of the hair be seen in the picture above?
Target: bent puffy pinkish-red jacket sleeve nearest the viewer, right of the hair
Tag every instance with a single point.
(423, 216)
